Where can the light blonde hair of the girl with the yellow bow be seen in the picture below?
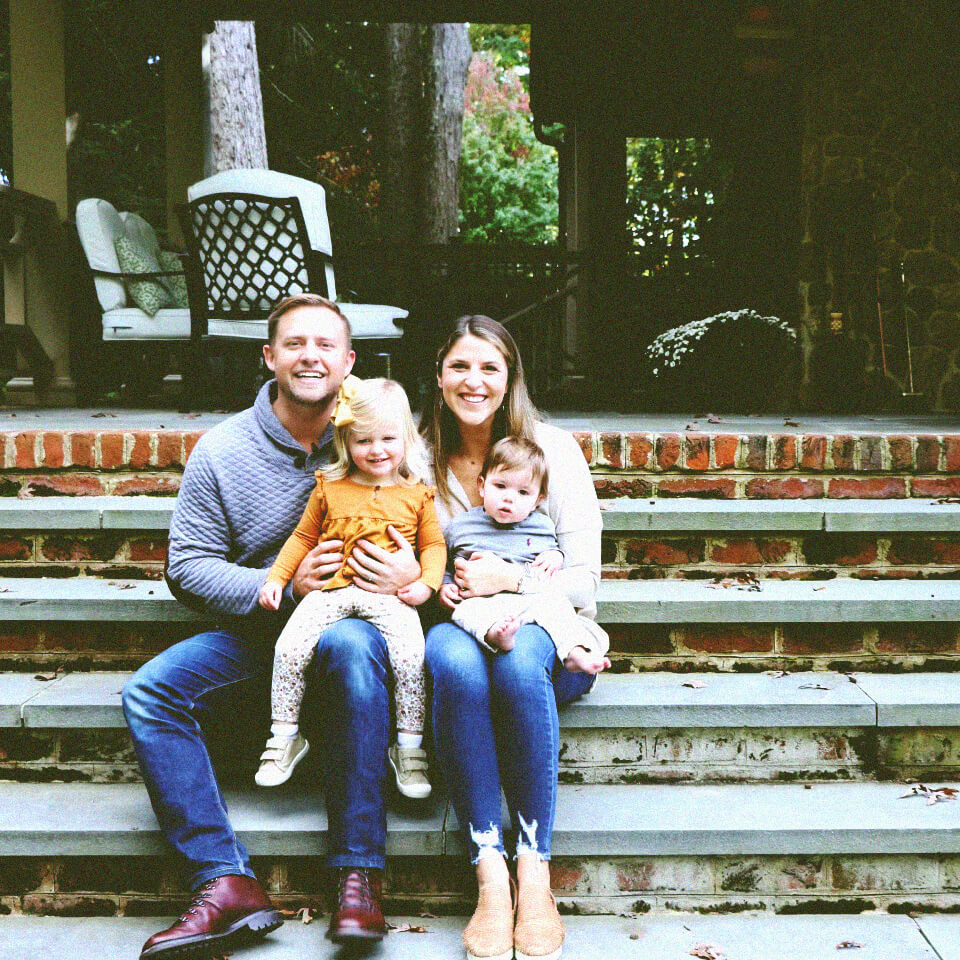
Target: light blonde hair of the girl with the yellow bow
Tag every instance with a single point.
(375, 402)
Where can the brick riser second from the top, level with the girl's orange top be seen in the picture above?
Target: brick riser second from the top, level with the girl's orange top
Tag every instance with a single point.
(65, 553)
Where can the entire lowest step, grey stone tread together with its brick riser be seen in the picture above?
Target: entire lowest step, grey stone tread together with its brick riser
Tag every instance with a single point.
(832, 848)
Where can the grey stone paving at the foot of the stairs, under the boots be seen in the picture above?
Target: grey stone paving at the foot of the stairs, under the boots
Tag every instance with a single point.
(742, 937)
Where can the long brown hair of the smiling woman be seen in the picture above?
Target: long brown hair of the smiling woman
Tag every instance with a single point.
(515, 418)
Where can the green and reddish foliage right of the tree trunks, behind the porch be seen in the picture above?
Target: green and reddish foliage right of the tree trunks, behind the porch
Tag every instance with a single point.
(508, 179)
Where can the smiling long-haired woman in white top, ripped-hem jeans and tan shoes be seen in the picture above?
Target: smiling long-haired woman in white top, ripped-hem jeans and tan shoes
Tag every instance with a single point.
(495, 715)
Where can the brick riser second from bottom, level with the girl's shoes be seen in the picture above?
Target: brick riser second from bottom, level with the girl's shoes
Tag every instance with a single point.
(587, 755)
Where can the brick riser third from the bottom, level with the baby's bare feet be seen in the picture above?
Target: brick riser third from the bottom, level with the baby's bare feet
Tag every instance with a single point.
(883, 647)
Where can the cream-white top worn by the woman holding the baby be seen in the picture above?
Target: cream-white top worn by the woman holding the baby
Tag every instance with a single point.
(571, 504)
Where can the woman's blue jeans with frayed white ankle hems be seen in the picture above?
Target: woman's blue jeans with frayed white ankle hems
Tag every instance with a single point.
(495, 721)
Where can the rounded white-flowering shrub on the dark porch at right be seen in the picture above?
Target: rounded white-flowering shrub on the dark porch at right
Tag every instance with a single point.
(737, 360)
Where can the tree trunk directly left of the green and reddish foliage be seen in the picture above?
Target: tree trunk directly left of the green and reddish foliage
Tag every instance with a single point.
(446, 58)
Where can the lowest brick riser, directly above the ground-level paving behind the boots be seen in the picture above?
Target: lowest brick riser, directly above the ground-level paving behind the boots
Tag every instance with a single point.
(835, 883)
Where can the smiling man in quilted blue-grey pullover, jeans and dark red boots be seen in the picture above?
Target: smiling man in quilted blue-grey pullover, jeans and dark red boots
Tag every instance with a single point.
(244, 488)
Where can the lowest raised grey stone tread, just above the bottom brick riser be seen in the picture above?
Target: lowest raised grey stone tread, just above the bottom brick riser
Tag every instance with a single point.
(745, 819)
